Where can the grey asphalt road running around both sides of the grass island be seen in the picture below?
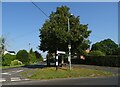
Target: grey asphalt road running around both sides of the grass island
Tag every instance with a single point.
(13, 77)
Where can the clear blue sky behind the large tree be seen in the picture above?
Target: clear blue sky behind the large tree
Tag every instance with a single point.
(21, 21)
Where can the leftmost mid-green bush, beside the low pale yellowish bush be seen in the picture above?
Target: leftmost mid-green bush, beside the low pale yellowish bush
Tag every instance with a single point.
(7, 58)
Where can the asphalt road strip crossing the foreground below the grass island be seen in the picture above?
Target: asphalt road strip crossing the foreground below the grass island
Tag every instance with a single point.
(73, 81)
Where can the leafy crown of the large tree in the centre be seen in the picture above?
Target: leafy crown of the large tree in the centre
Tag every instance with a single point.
(54, 33)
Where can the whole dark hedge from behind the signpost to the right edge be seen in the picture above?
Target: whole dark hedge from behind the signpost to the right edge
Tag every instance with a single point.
(112, 61)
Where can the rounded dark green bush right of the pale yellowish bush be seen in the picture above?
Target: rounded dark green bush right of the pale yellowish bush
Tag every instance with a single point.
(23, 56)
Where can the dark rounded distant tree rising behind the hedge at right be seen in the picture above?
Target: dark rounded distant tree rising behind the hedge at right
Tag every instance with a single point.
(107, 46)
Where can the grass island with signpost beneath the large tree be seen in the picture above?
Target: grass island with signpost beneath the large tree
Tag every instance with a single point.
(51, 73)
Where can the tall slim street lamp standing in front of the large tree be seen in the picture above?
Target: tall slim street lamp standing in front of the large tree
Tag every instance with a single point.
(69, 44)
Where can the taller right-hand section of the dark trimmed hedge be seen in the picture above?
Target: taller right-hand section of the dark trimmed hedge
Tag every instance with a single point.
(103, 60)
